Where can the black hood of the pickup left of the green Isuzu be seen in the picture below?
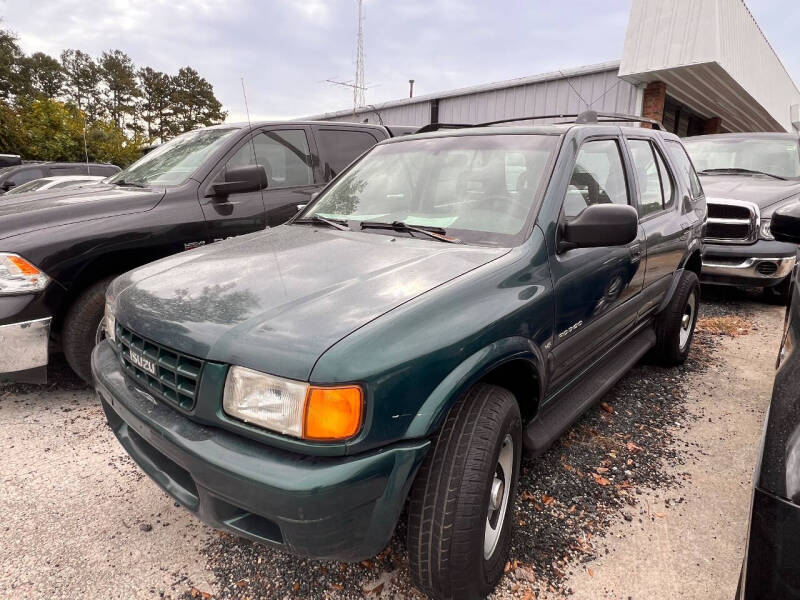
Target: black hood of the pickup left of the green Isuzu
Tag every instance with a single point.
(39, 210)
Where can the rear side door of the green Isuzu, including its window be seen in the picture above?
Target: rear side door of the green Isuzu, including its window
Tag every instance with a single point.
(659, 215)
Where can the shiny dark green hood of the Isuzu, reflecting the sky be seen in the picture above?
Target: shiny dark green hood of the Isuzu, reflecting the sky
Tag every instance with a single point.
(276, 300)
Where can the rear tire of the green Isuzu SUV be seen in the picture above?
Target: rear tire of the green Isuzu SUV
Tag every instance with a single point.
(671, 349)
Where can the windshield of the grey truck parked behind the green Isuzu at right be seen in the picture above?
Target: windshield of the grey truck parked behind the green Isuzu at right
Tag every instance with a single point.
(779, 157)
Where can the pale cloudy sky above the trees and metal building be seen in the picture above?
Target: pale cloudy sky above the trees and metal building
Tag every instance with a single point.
(286, 49)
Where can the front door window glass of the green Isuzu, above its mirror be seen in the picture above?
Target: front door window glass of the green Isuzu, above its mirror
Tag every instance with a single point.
(598, 178)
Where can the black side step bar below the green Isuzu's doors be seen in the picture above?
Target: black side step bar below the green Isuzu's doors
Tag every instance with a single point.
(561, 412)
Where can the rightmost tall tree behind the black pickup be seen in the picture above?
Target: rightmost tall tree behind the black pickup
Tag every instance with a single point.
(193, 102)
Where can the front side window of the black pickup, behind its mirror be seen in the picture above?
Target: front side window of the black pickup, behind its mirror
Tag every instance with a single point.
(284, 154)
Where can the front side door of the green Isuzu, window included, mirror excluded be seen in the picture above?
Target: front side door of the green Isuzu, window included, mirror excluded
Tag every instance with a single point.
(597, 290)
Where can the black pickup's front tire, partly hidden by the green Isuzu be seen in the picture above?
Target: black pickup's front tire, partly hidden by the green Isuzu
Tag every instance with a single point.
(79, 333)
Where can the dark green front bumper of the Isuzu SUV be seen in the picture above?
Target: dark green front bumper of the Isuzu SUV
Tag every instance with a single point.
(342, 508)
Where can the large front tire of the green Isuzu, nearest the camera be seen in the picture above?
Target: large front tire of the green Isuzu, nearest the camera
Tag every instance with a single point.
(449, 506)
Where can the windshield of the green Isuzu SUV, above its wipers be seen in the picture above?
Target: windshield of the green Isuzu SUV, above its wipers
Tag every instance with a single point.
(477, 188)
